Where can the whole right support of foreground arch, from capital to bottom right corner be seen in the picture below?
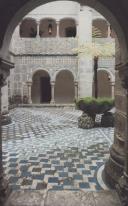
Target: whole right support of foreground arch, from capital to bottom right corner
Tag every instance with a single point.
(116, 169)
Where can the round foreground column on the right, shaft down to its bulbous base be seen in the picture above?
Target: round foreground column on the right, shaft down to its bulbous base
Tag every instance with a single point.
(115, 165)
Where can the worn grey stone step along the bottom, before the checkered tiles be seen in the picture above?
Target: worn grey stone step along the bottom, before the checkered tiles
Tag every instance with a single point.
(63, 198)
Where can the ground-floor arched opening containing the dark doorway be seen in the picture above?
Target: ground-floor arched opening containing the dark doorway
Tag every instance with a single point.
(41, 87)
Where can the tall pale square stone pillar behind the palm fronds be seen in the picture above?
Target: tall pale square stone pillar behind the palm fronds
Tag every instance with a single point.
(85, 68)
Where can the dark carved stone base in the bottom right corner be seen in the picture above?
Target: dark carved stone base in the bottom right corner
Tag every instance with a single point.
(122, 190)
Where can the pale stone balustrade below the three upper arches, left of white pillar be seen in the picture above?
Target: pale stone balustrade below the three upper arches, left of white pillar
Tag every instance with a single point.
(43, 46)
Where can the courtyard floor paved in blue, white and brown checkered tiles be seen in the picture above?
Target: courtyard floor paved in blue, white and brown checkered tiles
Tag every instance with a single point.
(44, 149)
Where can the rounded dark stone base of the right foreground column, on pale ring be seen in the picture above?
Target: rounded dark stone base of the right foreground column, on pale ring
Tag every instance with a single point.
(113, 168)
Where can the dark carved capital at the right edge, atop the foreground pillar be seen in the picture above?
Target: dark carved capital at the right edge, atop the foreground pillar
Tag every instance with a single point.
(123, 74)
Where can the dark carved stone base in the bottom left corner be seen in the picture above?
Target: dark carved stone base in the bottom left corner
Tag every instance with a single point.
(4, 190)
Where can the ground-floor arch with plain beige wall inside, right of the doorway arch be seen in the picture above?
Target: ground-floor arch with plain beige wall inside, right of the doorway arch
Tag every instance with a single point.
(64, 87)
